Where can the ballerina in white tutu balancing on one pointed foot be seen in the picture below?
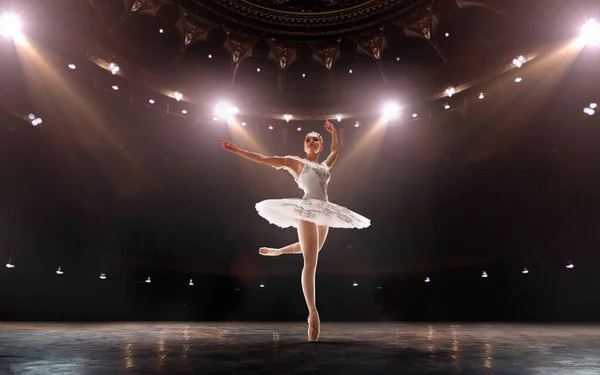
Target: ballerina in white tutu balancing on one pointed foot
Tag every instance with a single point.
(312, 214)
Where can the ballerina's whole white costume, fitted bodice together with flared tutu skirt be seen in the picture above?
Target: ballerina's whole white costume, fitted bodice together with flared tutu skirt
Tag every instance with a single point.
(314, 206)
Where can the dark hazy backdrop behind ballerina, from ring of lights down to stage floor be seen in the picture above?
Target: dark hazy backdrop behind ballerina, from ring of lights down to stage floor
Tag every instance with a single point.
(115, 186)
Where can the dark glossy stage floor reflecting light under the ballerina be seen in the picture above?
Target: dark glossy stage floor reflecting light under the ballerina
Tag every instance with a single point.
(281, 348)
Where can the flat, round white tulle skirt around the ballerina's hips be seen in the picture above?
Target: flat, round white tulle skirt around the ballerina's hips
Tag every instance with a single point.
(286, 212)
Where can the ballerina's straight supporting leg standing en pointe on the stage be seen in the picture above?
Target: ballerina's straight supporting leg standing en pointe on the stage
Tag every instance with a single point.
(308, 235)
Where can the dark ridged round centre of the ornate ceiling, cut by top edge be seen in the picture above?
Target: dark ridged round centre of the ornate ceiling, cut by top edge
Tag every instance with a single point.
(299, 19)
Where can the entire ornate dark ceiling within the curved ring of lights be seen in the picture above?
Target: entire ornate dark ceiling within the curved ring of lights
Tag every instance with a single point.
(310, 57)
